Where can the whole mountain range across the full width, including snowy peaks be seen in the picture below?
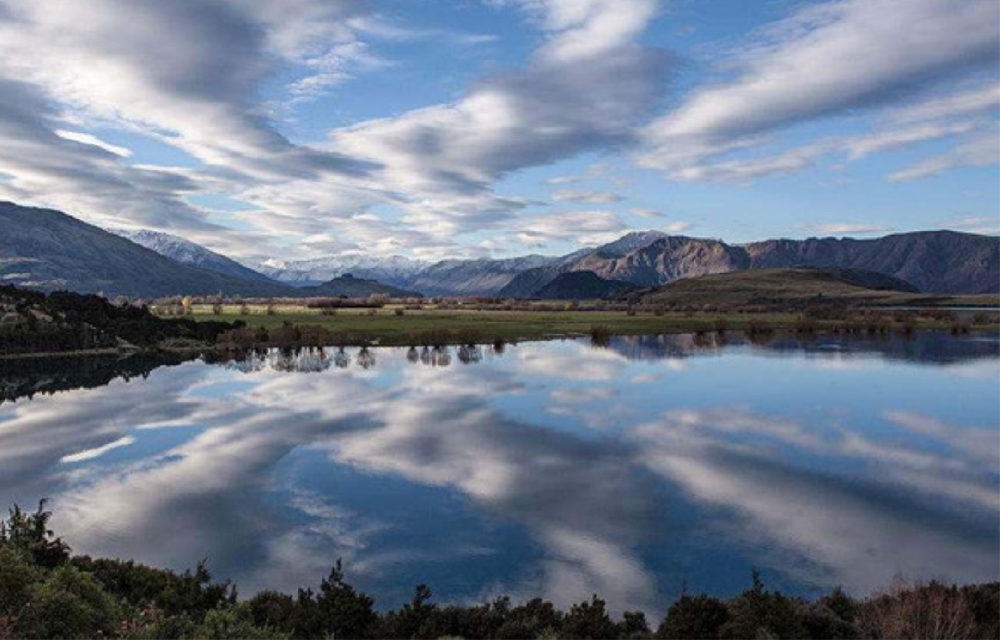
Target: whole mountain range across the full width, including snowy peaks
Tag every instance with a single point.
(48, 249)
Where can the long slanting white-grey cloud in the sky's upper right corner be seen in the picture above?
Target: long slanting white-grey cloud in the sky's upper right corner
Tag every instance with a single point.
(823, 61)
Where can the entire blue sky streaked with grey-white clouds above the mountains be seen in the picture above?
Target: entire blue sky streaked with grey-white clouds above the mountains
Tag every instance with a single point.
(470, 128)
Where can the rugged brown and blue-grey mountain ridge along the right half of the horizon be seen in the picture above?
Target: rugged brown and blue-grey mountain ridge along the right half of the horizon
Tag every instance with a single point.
(938, 261)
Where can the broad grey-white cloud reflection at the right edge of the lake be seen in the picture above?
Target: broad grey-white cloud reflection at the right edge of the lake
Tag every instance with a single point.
(826, 529)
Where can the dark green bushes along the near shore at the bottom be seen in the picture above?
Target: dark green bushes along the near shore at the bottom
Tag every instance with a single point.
(47, 592)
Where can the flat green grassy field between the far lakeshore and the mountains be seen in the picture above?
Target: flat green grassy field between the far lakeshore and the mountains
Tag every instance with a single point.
(386, 327)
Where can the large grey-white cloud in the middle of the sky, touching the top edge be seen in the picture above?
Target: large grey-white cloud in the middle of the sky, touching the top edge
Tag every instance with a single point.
(447, 157)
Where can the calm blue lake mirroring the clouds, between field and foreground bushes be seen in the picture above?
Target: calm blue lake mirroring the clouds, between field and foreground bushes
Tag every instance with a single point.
(553, 469)
